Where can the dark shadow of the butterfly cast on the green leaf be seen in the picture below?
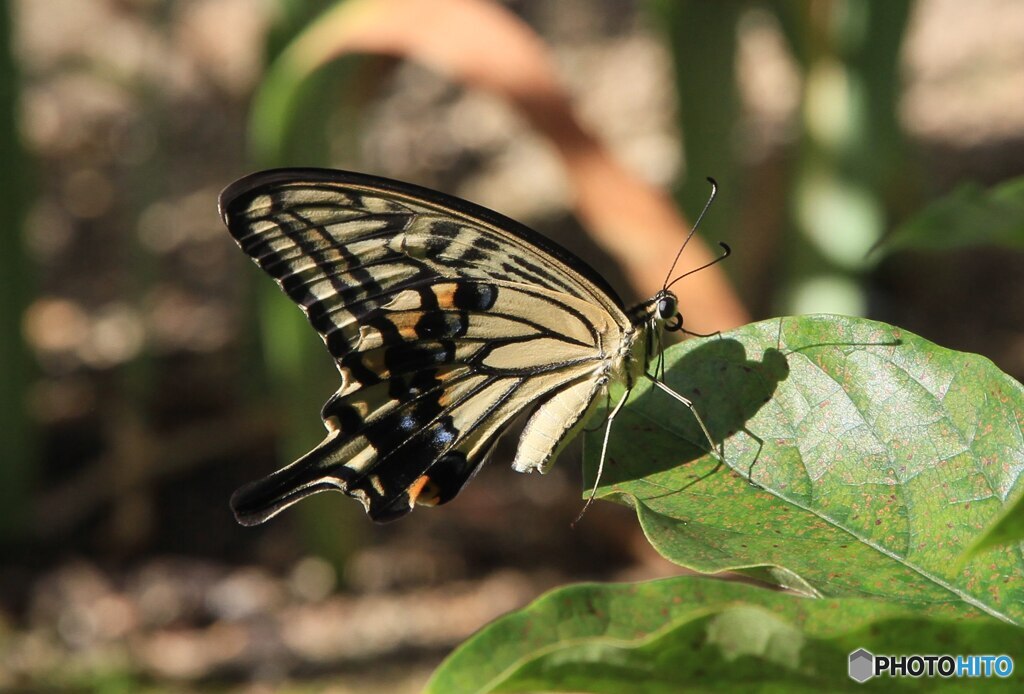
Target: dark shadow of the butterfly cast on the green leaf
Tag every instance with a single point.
(656, 435)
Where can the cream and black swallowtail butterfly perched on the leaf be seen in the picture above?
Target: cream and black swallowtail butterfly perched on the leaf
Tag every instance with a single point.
(447, 322)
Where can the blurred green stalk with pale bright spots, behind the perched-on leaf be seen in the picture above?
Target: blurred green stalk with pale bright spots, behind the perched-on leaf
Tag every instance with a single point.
(851, 151)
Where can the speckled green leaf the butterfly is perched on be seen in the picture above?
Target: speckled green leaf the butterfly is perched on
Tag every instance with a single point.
(878, 458)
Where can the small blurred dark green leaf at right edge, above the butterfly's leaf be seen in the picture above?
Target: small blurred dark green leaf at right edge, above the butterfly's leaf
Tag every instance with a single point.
(968, 216)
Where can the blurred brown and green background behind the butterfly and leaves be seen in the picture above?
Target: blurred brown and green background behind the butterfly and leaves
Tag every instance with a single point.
(150, 369)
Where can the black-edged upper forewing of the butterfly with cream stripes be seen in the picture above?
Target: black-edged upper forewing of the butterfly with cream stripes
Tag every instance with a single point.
(334, 238)
